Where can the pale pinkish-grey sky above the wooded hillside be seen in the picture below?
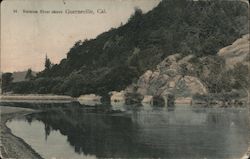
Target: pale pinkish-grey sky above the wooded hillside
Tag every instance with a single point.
(26, 38)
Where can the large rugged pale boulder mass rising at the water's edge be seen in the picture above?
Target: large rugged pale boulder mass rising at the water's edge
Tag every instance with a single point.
(169, 78)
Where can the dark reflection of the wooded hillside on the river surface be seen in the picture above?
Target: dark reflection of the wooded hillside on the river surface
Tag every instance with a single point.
(95, 134)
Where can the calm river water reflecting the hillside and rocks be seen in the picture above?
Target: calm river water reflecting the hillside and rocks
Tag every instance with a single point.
(181, 132)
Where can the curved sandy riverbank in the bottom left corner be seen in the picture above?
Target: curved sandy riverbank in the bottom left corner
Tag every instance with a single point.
(12, 146)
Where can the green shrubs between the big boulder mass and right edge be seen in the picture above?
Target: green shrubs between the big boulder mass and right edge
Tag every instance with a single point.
(219, 79)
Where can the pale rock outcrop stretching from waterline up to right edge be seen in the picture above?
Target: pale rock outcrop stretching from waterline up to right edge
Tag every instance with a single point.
(176, 77)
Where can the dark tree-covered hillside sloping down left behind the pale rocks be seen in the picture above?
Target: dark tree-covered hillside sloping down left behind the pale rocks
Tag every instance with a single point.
(120, 56)
